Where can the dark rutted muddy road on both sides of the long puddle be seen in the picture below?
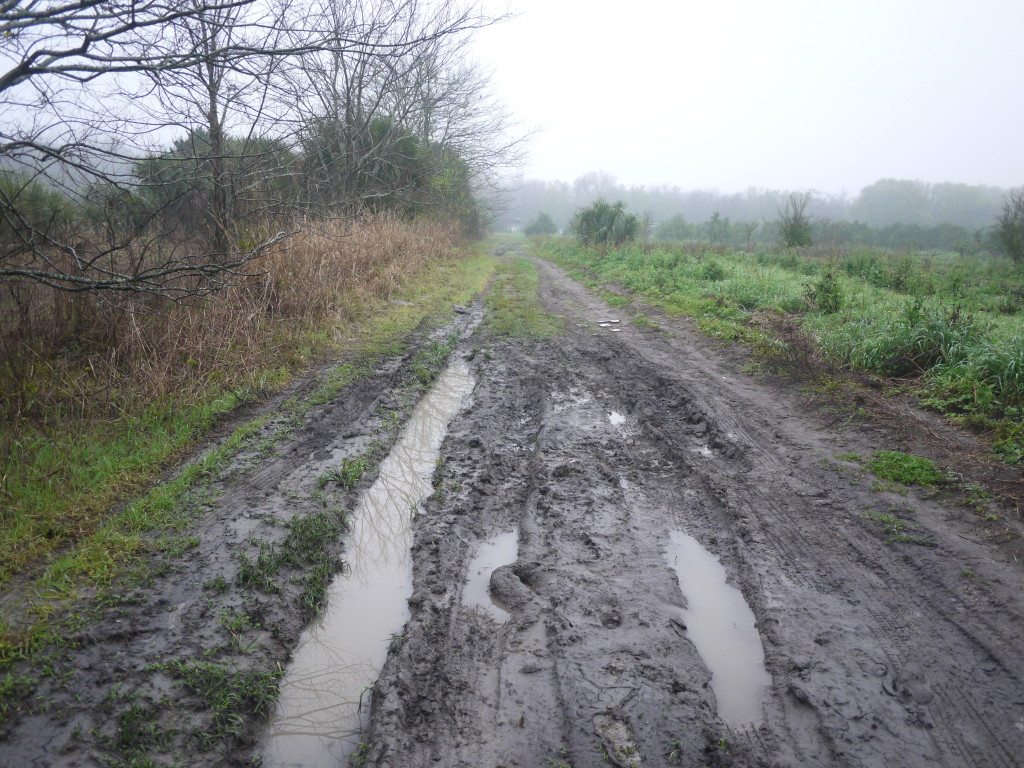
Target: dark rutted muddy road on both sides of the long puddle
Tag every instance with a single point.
(602, 483)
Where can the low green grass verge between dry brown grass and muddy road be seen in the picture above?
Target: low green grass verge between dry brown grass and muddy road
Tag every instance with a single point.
(113, 537)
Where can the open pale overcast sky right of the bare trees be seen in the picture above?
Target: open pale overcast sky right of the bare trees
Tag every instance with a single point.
(793, 95)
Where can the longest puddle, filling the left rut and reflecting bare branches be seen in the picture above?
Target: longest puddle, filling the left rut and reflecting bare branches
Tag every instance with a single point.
(319, 716)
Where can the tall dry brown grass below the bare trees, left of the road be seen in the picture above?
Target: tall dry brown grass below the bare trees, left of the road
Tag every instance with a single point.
(78, 357)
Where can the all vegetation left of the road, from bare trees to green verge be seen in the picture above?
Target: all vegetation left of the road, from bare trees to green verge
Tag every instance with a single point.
(166, 258)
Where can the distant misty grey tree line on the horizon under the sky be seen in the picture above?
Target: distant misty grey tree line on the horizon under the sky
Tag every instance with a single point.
(889, 214)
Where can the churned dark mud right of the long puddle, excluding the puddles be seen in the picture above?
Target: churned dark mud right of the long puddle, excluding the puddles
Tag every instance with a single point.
(873, 646)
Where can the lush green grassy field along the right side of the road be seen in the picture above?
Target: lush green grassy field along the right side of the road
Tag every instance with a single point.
(949, 328)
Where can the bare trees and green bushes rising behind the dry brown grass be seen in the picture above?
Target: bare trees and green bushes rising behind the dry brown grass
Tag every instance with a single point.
(158, 147)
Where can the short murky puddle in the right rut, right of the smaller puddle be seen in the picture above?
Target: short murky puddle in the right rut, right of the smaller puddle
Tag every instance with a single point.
(721, 626)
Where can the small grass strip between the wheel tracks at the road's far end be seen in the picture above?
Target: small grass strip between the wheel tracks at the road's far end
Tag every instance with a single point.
(515, 308)
